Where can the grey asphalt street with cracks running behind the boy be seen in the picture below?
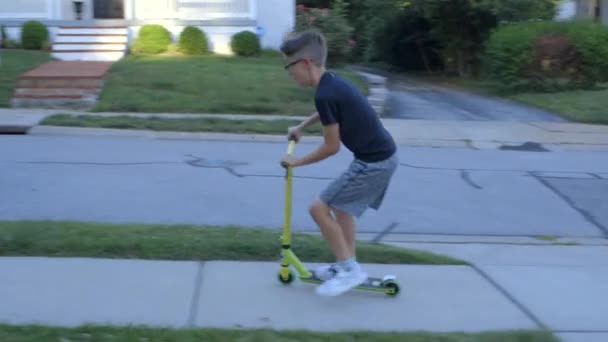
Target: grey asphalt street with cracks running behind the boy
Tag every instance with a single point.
(435, 191)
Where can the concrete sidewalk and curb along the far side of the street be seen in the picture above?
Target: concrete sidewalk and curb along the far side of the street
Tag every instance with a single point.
(430, 133)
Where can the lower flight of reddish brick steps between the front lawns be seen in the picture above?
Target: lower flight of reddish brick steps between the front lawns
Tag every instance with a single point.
(61, 84)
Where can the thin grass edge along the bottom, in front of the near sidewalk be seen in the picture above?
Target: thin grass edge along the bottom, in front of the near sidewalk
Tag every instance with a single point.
(144, 334)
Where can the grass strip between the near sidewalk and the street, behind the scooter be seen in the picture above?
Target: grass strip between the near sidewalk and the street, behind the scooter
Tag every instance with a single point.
(180, 242)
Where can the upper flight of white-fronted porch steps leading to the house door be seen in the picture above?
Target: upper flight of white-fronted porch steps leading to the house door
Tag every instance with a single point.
(88, 43)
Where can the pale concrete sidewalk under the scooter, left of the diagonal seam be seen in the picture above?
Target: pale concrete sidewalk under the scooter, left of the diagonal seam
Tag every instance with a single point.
(71, 292)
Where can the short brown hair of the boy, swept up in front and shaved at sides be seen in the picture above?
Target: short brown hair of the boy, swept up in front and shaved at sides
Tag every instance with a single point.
(309, 44)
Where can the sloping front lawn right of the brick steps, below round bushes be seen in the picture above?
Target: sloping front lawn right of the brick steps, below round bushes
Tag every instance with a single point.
(207, 84)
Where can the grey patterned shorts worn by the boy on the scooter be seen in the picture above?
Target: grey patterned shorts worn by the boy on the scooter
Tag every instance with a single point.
(363, 185)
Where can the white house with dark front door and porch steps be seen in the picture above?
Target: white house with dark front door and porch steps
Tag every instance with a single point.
(102, 29)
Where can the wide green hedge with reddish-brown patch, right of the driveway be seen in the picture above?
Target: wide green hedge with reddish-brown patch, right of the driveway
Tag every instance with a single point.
(548, 56)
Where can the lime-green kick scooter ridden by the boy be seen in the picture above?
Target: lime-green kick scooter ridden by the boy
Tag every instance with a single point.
(387, 284)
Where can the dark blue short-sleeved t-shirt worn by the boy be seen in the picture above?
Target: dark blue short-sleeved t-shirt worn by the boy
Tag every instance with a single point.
(361, 131)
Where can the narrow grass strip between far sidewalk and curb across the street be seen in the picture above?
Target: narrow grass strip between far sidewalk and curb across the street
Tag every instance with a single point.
(179, 124)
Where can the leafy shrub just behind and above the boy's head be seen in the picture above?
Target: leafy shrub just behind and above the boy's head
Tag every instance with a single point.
(334, 26)
